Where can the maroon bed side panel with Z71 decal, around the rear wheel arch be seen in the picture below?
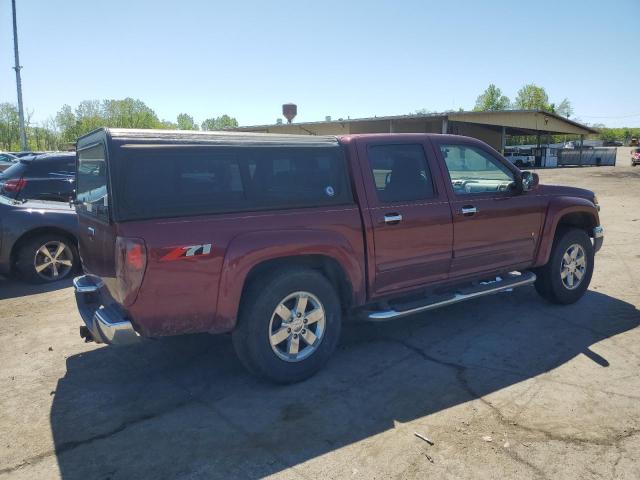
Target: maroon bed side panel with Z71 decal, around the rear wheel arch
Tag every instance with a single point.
(202, 293)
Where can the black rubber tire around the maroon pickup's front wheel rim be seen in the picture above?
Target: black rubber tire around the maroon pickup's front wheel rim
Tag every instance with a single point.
(549, 282)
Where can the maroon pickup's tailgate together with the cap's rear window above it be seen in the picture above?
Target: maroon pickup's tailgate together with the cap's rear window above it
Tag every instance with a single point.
(96, 235)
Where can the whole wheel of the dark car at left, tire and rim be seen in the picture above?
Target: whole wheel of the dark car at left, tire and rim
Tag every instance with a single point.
(46, 258)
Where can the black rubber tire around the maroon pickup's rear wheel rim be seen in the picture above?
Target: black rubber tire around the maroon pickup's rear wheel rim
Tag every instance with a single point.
(251, 338)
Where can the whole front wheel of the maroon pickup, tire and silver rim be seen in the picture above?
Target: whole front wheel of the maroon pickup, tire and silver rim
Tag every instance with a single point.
(567, 275)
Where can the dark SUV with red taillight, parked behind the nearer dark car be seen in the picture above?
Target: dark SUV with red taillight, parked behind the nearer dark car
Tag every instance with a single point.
(49, 176)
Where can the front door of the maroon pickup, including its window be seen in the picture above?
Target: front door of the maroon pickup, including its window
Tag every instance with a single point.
(494, 226)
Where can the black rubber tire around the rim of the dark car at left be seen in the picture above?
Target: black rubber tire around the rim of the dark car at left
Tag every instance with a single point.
(25, 268)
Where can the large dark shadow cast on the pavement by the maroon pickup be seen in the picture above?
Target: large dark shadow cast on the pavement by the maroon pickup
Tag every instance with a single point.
(184, 407)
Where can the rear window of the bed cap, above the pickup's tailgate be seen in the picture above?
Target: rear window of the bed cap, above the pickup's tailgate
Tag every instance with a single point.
(91, 182)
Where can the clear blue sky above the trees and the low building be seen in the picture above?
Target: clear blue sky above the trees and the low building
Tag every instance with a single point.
(338, 58)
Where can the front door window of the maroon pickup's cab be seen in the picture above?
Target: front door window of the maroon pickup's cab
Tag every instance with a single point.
(474, 171)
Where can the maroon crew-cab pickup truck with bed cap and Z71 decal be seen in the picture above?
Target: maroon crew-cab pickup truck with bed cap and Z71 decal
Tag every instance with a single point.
(278, 238)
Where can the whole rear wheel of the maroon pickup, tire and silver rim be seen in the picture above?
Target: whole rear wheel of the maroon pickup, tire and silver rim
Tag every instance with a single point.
(288, 326)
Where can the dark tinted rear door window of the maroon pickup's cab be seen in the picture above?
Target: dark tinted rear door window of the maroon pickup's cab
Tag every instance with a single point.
(400, 173)
